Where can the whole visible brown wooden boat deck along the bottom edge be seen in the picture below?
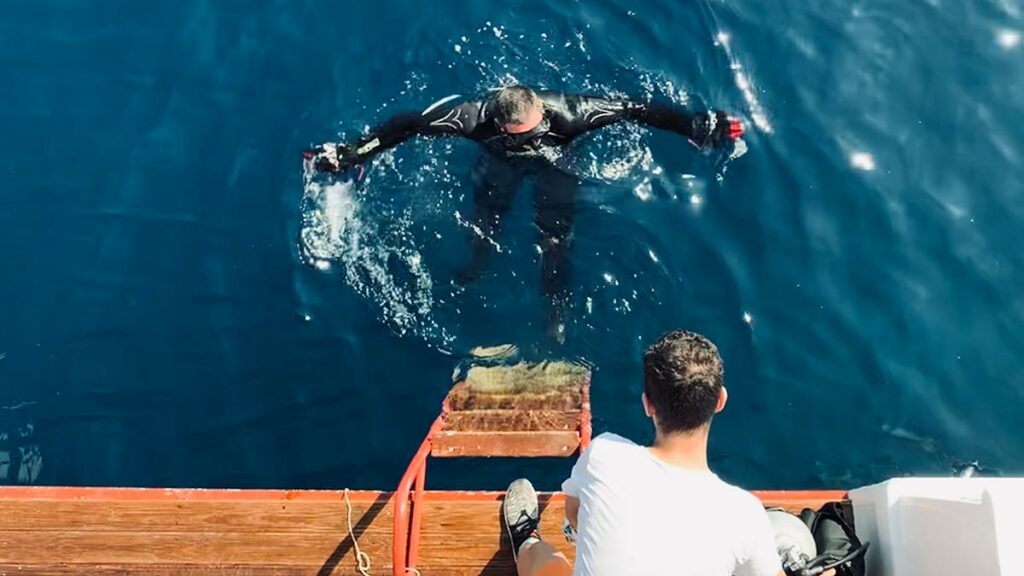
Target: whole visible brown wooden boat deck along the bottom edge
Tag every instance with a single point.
(124, 531)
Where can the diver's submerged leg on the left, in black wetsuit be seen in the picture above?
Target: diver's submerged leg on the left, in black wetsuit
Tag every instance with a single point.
(495, 185)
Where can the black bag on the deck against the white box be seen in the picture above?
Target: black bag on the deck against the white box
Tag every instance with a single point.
(836, 541)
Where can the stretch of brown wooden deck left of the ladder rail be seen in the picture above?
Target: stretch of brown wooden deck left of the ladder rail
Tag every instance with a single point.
(148, 531)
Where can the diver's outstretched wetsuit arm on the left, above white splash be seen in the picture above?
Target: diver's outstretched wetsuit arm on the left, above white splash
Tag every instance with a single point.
(437, 120)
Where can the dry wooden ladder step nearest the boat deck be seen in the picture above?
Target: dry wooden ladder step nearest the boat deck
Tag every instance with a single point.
(457, 444)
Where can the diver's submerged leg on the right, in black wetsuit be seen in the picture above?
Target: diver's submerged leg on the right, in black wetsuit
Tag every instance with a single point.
(554, 201)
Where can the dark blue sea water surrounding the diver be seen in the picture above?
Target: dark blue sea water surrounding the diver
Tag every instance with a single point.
(861, 267)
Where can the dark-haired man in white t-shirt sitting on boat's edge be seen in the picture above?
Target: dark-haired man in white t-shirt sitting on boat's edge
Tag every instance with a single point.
(655, 511)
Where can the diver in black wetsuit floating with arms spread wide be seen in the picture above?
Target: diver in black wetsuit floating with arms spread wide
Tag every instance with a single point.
(517, 126)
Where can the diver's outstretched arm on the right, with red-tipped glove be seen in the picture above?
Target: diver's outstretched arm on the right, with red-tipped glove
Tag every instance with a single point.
(705, 130)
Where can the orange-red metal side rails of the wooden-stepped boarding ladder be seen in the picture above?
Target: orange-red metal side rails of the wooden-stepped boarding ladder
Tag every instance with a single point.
(406, 533)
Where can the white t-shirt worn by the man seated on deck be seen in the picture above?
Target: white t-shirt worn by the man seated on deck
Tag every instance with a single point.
(642, 517)
